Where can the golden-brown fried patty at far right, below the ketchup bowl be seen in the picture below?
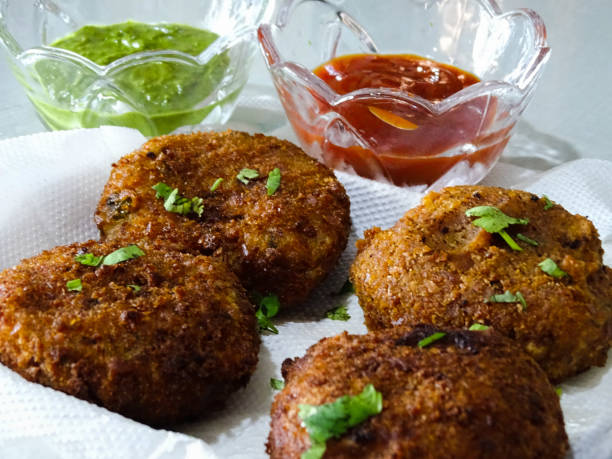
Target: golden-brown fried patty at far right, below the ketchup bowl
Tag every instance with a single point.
(435, 266)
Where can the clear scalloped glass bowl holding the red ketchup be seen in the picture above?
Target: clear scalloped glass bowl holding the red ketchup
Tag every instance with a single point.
(459, 139)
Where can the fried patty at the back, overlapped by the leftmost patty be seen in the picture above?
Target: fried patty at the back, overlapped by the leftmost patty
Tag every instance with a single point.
(282, 244)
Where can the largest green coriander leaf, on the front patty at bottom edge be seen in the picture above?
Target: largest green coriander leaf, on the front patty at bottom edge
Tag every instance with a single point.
(323, 422)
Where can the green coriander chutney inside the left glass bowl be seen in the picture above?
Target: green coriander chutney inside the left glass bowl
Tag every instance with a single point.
(153, 94)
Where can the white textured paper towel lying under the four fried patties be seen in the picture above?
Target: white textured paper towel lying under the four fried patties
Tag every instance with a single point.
(50, 185)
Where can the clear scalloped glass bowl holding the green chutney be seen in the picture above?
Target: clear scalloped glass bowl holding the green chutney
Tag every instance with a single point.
(70, 91)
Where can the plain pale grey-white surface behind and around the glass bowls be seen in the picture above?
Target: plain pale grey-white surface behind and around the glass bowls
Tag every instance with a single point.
(570, 114)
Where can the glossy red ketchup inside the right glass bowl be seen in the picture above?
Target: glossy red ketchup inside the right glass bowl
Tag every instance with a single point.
(402, 141)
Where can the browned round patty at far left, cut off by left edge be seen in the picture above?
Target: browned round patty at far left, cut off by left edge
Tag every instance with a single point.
(160, 338)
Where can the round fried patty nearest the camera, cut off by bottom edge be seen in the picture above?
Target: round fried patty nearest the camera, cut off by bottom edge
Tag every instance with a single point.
(470, 394)
